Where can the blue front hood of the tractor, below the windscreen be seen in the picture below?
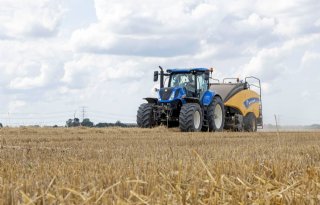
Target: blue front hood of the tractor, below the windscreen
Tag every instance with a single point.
(170, 94)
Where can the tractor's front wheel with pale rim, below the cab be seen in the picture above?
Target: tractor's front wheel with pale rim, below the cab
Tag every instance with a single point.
(190, 118)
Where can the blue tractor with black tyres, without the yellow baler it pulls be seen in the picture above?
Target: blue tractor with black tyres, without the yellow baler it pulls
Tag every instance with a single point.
(185, 102)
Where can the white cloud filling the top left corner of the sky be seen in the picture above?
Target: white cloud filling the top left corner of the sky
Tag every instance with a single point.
(21, 19)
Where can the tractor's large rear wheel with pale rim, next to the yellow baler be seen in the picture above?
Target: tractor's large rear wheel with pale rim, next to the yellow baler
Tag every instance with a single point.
(216, 115)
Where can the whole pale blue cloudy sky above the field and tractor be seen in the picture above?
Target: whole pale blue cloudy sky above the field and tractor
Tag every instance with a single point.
(58, 56)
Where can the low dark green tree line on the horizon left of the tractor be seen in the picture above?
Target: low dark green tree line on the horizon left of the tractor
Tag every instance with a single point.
(87, 123)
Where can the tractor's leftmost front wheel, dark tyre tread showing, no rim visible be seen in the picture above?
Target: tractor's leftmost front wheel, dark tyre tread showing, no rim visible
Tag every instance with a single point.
(145, 117)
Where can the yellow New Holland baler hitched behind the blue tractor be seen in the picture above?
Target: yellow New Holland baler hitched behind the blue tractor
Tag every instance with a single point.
(242, 101)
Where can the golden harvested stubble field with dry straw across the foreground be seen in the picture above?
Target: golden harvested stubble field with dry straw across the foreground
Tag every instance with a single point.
(157, 166)
